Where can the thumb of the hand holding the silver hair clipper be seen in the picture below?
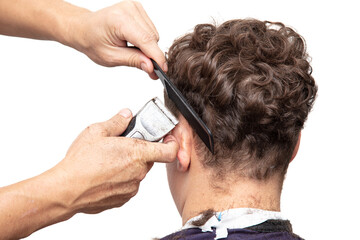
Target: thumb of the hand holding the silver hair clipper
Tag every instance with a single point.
(117, 124)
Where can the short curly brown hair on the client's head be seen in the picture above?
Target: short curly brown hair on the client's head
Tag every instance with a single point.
(250, 81)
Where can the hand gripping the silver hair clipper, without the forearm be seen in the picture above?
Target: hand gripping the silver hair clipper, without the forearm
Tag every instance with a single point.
(104, 170)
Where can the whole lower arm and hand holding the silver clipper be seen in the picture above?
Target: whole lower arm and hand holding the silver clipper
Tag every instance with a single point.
(100, 171)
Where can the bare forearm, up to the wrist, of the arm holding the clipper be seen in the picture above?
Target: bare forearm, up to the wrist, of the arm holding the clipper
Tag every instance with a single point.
(33, 204)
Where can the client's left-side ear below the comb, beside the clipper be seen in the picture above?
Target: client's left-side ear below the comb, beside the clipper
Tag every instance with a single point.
(183, 133)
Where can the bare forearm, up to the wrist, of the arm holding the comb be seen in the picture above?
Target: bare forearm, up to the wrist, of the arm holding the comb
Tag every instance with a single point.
(39, 19)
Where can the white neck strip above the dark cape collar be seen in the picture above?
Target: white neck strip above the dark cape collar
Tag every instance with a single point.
(234, 218)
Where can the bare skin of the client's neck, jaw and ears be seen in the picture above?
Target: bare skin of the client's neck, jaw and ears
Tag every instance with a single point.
(194, 189)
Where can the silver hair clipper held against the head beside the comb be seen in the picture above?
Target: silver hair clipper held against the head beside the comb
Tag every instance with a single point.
(152, 122)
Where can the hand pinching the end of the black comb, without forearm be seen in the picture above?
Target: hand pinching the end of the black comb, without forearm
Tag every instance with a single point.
(104, 36)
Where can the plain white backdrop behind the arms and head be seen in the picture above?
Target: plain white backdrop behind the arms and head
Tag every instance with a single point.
(49, 93)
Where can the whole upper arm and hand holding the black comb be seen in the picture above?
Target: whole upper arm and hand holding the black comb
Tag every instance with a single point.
(102, 35)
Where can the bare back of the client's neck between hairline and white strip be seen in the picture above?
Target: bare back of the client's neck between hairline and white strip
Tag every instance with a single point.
(203, 194)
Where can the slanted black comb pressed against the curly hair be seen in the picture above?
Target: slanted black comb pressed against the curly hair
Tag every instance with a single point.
(186, 110)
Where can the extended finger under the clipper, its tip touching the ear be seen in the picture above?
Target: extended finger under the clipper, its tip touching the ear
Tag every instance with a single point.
(159, 152)
